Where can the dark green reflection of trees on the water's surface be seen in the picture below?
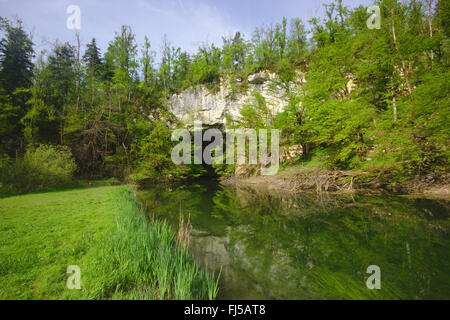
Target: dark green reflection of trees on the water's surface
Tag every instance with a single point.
(332, 241)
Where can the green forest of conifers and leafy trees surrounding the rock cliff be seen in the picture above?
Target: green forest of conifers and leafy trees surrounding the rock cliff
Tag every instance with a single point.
(74, 112)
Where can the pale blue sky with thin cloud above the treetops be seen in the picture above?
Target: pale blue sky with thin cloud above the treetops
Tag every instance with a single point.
(187, 23)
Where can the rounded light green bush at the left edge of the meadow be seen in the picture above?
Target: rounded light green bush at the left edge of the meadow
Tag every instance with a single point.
(43, 167)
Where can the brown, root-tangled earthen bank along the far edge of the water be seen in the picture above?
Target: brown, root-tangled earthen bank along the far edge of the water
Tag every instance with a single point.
(317, 179)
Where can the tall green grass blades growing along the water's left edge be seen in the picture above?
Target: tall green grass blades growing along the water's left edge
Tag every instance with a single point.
(142, 260)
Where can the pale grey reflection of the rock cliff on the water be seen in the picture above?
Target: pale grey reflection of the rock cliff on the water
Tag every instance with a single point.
(247, 276)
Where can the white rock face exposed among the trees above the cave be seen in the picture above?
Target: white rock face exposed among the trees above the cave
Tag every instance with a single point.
(200, 104)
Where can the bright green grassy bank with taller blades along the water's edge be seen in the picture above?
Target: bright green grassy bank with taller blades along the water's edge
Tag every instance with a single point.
(104, 232)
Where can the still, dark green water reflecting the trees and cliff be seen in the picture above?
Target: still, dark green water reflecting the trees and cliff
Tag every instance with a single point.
(308, 246)
